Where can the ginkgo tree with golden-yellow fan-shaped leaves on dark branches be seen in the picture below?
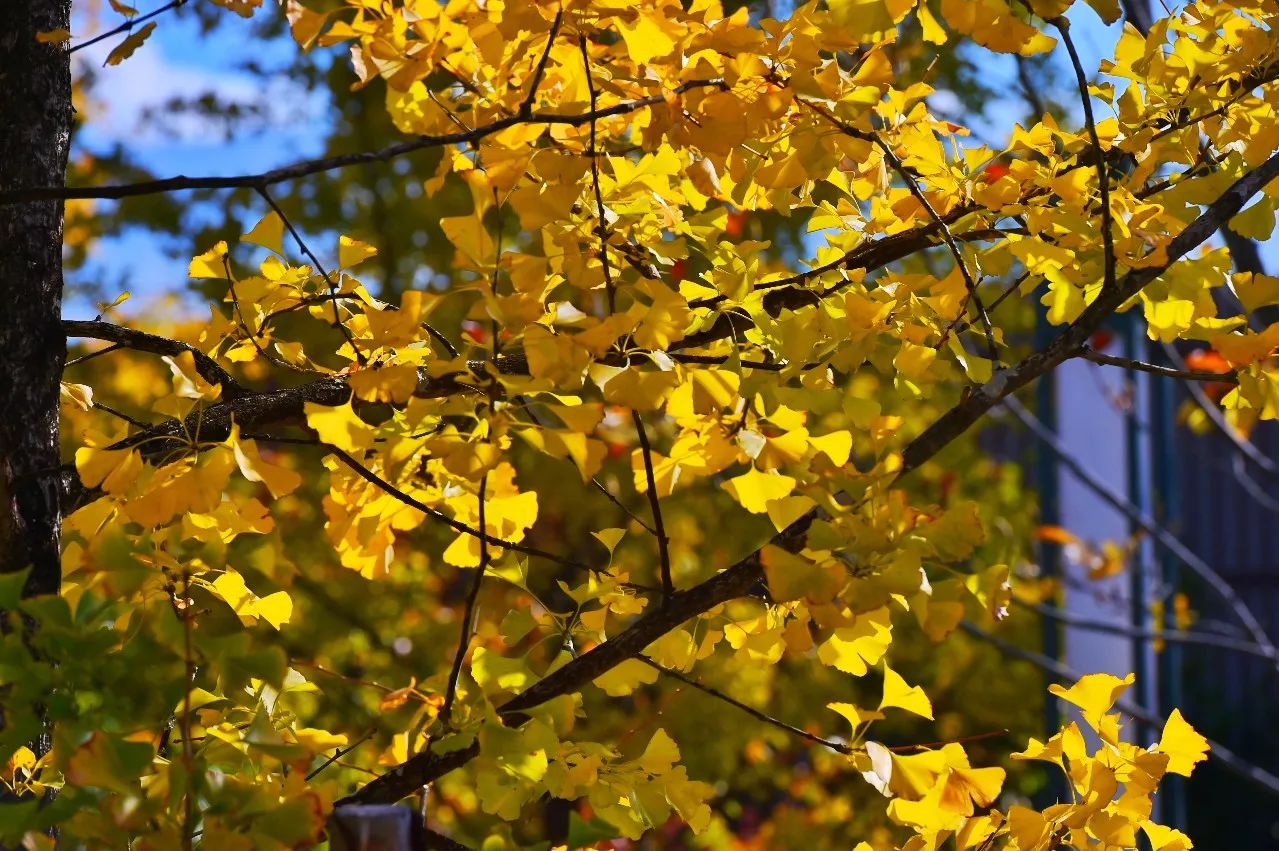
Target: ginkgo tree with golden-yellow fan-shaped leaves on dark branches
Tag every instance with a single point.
(622, 451)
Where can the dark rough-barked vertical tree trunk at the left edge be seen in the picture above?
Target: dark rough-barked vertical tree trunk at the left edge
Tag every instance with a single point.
(35, 130)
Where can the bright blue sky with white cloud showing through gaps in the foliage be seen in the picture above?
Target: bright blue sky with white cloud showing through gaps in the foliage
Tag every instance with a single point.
(180, 61)
